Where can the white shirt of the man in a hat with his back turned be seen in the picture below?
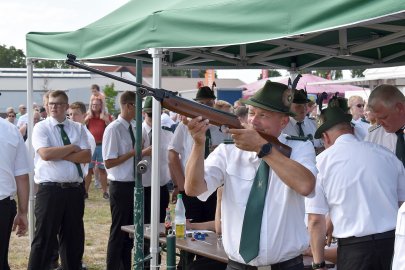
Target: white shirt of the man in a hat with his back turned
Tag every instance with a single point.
(360, 185)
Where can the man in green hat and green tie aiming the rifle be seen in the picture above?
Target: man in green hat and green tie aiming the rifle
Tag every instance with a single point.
(279, 236)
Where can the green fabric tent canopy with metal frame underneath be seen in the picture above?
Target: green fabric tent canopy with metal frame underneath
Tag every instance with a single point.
(238, 34)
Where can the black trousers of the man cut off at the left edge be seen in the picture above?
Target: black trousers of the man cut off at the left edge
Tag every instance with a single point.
(8, 210)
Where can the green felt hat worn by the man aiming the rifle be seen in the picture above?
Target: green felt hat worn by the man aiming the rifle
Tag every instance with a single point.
(274, 97)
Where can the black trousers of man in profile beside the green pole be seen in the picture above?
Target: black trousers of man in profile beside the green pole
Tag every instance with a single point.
(122, 213)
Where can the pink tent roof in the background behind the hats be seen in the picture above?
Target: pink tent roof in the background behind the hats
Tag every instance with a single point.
(306, 82)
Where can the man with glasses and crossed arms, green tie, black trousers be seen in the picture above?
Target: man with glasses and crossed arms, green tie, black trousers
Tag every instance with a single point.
(61, 148)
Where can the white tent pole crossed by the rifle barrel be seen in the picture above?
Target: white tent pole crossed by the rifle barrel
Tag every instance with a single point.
(157, 56)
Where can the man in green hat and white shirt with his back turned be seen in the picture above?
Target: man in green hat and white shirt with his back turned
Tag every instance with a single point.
(360, 185)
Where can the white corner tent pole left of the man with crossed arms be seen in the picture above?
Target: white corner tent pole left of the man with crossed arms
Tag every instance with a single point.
(30, 83)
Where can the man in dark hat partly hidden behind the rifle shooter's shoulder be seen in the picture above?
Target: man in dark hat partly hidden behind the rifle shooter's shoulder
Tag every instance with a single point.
(300, 124)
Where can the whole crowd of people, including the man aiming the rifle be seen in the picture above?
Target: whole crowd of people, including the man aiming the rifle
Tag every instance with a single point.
(283, 186)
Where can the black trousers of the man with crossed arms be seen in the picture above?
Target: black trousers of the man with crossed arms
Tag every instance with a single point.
(58, 210)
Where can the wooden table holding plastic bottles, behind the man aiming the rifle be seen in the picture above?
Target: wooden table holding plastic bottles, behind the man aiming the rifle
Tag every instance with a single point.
(211, 248)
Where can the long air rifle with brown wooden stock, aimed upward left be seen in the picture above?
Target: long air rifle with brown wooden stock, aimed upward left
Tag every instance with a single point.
(182, 106)
